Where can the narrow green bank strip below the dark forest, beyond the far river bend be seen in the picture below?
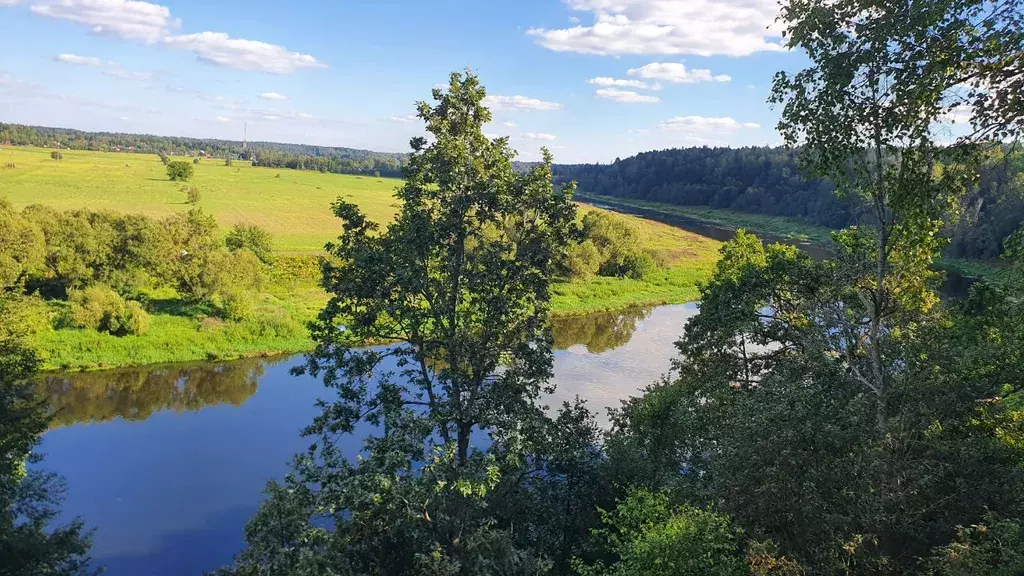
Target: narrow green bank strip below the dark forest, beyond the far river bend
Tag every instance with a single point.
(780, 228)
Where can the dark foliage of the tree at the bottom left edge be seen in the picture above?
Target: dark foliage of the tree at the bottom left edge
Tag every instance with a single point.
(30, 499)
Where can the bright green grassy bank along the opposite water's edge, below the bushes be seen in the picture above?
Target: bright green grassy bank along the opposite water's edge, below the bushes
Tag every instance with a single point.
(292, 298)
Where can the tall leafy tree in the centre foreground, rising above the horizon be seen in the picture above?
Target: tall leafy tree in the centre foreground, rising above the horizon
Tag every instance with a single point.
(457, 290)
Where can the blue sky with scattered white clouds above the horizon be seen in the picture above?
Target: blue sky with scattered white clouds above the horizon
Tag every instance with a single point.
(590, 79)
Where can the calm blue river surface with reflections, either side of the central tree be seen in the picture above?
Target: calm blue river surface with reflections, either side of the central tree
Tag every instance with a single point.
(168, 464)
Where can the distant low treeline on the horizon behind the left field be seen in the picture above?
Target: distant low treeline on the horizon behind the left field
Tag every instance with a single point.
(325, 159)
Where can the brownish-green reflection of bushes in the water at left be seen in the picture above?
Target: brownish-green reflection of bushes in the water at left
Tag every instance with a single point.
(137, 394)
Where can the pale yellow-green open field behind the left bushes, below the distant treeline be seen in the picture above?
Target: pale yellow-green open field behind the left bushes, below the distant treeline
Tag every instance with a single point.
(294, 208)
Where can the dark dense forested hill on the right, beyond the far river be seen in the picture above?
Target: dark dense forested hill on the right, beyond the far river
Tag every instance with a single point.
(767, 181)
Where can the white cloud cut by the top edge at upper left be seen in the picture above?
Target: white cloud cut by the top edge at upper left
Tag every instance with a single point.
(126, 19)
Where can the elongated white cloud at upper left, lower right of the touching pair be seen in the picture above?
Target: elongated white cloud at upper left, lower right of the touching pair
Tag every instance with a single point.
(221, 50)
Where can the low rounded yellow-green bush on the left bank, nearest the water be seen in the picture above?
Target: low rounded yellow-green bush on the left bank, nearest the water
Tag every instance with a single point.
(100, 308)
